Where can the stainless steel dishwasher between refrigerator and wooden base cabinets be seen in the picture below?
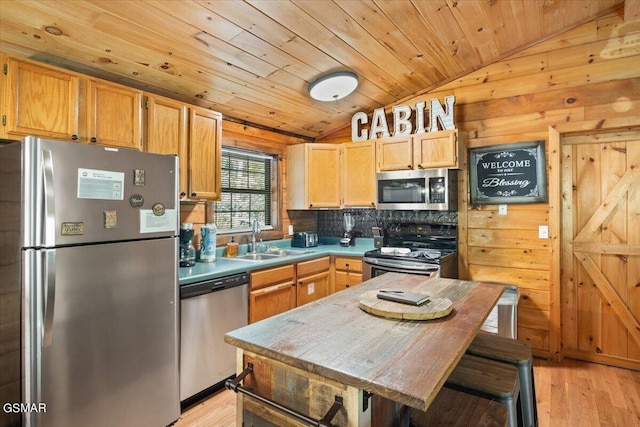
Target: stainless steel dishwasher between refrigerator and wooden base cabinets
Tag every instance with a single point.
(209, 310)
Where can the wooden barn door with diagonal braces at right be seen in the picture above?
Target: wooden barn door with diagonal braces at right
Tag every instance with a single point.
(601, 248)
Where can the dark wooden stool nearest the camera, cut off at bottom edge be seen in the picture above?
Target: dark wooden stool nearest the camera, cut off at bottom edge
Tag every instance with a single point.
(454, 408)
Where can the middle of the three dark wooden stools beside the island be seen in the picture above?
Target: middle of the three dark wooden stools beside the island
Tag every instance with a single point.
(489, 379)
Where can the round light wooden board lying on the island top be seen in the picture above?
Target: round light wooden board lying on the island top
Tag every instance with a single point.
(434, 309)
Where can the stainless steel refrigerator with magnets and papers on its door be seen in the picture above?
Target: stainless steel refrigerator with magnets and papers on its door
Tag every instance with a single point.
(89, 296)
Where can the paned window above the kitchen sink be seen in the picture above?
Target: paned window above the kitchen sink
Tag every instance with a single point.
(248, 179)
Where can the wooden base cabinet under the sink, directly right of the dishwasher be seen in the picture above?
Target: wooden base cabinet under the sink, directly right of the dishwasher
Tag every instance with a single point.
(271, 291)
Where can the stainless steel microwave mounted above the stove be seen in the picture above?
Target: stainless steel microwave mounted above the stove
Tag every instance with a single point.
(426, 189)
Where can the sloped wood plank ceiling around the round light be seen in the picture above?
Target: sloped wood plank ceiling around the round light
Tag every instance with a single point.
(253, 60)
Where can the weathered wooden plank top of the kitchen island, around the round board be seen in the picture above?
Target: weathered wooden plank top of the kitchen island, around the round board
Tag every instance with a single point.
(406, 361)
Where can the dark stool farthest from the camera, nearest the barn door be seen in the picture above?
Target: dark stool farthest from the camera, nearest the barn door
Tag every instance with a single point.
(518, 354)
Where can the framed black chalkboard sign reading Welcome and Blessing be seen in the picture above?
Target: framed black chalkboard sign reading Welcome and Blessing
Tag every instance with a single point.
(510, 173)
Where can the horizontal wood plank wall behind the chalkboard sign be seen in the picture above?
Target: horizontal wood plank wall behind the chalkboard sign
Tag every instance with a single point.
(583, 80)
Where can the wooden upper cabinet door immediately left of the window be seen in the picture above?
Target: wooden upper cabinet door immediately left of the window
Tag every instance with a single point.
(205, 154)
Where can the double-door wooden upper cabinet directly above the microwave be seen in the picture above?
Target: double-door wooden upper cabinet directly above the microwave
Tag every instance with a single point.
(422, 151)
